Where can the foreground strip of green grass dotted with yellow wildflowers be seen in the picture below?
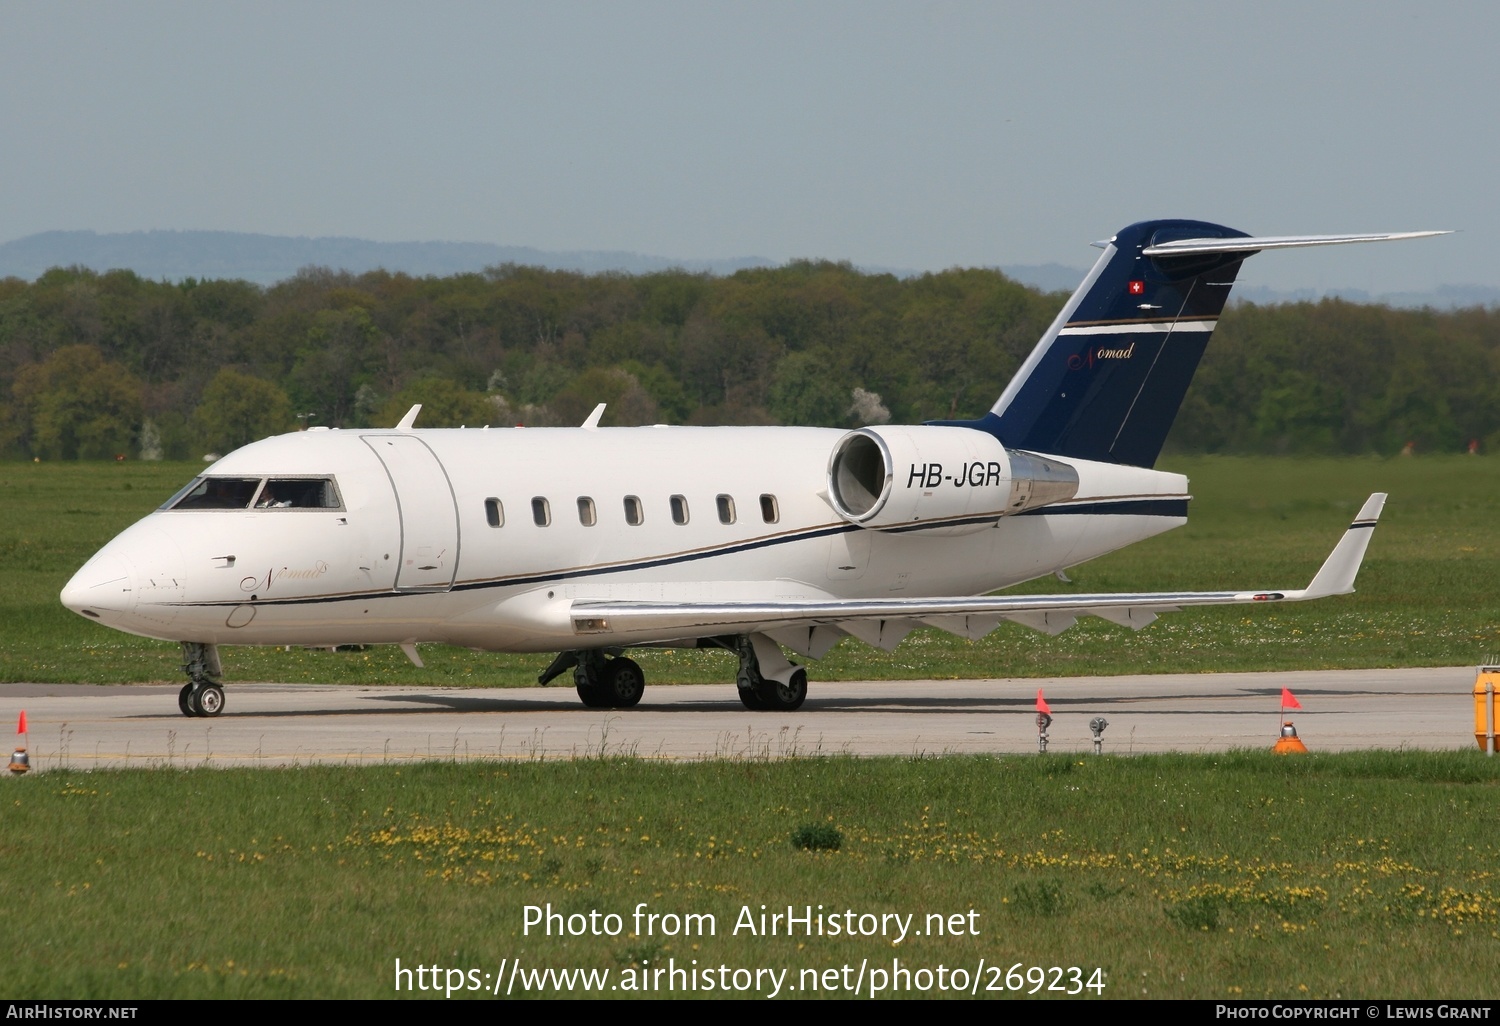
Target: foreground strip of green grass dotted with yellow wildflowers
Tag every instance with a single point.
(1246, 875)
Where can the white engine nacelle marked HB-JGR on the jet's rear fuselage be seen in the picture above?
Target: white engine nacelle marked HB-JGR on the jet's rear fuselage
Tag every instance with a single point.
(895, 476)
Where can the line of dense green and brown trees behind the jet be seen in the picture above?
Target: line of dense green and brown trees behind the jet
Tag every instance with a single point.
(107, 365)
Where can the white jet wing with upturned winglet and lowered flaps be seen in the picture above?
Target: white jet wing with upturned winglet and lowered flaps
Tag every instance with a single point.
(814, 626)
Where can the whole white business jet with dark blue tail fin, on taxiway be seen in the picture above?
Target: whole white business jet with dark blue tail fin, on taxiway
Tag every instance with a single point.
(589, 541)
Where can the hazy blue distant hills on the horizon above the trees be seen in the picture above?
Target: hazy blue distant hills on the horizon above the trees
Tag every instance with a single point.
(268, 260)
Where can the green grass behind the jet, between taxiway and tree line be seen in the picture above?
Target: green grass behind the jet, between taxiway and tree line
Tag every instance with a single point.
(1427, 593)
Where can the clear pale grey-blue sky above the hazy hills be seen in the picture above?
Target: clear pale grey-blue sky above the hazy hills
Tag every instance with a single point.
(911, 136)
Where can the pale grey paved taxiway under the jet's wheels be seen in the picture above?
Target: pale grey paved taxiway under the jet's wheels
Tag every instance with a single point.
(277, 725)
